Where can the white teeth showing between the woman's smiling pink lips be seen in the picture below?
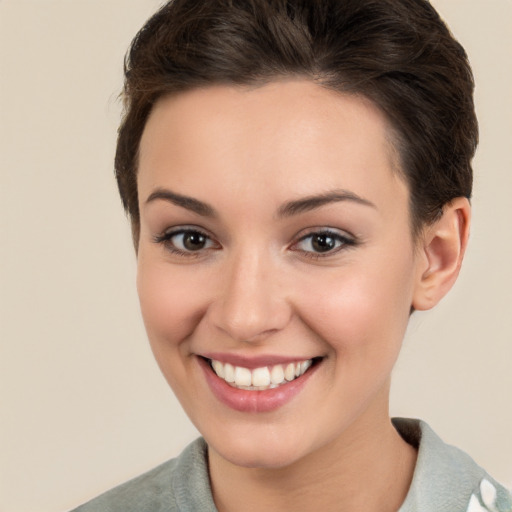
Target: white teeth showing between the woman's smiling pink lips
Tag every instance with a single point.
(263, 378)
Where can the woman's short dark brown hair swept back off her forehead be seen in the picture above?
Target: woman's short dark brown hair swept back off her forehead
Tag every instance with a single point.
(397, 53)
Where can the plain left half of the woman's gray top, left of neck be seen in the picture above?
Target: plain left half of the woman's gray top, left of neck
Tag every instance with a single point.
(179, 484)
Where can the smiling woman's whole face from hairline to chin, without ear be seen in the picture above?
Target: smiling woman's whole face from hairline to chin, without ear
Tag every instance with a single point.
(275, 242)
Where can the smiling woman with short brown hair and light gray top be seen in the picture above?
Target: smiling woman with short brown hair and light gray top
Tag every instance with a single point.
(297, 176)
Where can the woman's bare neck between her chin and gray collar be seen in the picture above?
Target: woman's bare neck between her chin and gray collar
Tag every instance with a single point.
(369, 467)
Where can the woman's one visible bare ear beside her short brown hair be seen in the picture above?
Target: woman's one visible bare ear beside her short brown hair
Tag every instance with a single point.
(441, 250)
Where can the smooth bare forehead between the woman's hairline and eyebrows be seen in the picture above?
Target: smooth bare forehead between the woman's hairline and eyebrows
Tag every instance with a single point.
(277, 141)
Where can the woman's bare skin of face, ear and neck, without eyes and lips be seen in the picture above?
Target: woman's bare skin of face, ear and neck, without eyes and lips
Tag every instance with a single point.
(256, 288)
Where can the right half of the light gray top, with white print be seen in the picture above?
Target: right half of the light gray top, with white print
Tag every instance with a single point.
(445, 478)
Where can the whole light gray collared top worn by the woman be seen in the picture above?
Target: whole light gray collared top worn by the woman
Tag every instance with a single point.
(445, 480)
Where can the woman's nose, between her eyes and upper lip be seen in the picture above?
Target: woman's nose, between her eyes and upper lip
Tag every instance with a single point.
(252, 304)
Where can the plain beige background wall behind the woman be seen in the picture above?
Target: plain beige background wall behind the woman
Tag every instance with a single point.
(83, 406)
